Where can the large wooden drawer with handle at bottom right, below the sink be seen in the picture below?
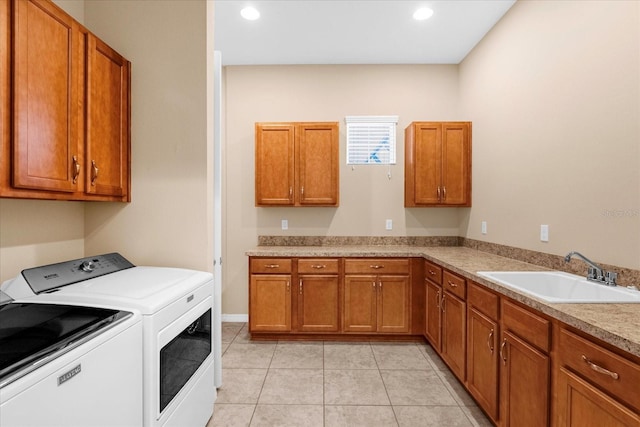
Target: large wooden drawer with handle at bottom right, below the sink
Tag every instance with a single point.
(614, 374)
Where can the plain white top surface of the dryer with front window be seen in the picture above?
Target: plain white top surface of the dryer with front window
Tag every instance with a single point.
(147, 289)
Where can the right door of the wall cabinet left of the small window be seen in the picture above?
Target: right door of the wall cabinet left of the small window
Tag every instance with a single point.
(317, 160)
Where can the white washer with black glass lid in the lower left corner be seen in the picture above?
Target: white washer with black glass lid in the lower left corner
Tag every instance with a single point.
(71, 365)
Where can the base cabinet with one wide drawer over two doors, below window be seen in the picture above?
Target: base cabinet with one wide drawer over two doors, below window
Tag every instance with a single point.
(377, 296)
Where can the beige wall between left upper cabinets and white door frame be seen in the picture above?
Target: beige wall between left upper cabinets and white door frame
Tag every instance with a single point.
(169, 221)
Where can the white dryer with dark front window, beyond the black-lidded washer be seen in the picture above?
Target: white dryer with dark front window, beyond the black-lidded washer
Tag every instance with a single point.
(181, 328)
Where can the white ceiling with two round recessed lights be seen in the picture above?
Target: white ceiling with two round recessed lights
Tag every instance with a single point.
(352, 31)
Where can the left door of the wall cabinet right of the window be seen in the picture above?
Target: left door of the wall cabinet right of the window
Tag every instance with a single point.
(423, 165)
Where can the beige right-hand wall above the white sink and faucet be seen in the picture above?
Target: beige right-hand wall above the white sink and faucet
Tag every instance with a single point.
(554, 94)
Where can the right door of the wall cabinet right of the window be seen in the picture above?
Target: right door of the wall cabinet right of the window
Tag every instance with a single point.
(456, 176)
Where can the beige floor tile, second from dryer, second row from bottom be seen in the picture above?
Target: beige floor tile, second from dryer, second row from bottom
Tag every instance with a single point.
(293, 386)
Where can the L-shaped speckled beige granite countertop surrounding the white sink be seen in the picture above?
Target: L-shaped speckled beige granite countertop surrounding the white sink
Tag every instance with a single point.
(616, 324)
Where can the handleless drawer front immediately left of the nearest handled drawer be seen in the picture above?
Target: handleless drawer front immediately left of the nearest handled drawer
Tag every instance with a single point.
(528, 326)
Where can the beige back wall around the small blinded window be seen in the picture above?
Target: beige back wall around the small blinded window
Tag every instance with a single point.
(367, 196)
